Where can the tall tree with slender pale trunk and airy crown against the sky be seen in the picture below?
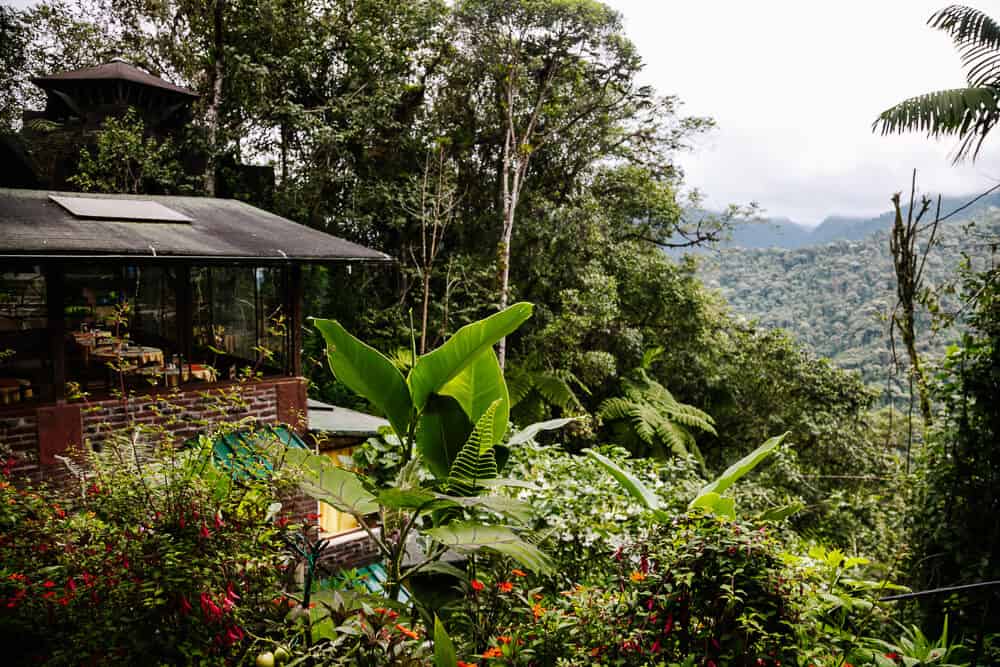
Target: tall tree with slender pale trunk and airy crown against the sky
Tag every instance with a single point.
(545, 72)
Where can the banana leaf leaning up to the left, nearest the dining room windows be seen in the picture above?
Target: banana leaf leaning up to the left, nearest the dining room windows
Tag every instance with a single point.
(367, 372)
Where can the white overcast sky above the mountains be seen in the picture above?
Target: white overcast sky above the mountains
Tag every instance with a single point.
(794, 87)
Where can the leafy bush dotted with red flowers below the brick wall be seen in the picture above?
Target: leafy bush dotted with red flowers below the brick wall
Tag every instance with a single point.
(163, 562)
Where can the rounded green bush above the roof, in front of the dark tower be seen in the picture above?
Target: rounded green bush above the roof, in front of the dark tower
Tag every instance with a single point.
(127, 161)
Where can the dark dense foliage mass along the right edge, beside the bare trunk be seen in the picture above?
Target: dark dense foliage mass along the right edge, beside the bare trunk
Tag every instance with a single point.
(951, 528)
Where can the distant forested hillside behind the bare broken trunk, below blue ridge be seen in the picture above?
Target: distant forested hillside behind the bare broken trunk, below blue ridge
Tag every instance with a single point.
(836, 297)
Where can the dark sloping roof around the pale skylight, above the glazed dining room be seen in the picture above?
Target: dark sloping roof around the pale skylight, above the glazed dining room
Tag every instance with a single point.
(32, 225)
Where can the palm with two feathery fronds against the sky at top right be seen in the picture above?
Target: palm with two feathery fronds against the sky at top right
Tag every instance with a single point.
(969, 113)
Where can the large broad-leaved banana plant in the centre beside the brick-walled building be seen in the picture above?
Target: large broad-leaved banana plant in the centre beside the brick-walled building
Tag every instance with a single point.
(451, 411)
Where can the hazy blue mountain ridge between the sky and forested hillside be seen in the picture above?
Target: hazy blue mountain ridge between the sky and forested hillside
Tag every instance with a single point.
(782, 232)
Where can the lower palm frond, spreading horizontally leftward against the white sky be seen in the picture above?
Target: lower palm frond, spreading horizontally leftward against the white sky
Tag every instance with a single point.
(968, 113)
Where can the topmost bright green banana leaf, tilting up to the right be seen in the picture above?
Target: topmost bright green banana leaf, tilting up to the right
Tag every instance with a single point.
(437, 368)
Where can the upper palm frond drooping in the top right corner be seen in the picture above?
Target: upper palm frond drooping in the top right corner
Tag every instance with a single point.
(977, 38)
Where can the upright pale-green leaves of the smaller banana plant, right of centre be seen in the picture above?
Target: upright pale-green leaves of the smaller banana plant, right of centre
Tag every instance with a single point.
(710, 498)
